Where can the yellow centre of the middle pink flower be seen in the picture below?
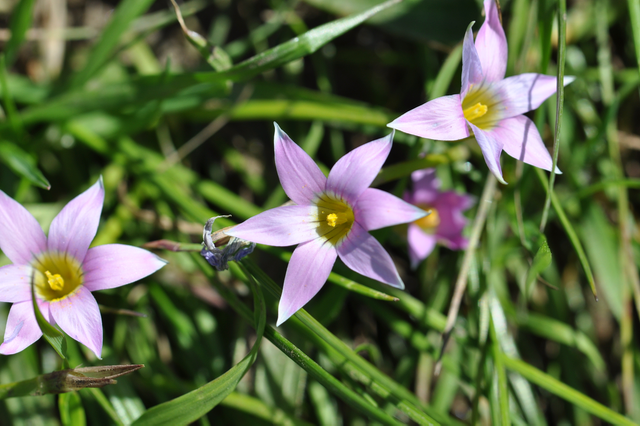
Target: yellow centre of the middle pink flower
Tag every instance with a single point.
(335, 218)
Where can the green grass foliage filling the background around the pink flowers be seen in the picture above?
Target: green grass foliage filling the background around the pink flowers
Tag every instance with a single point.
(182, 133)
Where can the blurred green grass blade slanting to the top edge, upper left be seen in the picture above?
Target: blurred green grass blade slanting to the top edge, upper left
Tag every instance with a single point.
(124, 14)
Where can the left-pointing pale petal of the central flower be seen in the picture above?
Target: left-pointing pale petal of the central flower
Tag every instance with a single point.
(282, 226)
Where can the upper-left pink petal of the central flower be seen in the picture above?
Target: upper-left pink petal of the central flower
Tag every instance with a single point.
(299, 175)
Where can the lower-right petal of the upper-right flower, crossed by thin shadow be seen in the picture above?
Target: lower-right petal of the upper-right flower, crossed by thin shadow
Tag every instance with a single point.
(522, 141)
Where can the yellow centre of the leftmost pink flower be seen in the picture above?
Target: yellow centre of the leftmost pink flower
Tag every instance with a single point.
(57, 275)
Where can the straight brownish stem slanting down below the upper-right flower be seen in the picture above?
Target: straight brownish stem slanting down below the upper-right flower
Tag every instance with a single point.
(486, 199)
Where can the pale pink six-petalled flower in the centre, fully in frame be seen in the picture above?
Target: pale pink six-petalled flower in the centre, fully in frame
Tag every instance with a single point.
(331, 218)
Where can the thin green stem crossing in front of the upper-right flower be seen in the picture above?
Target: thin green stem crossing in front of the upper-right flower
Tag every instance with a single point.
(562, 43)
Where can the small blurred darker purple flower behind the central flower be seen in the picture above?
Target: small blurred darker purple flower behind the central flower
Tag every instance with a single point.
(443, 225)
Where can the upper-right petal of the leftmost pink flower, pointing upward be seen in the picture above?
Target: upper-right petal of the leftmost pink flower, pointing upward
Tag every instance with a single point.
(73, 229)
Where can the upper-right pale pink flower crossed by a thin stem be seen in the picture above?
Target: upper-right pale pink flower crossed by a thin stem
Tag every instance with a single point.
(489, 105)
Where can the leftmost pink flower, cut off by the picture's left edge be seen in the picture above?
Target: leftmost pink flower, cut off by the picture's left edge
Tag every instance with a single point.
(64, 268)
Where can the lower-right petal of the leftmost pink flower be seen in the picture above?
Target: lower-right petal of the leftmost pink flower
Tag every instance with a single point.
(78, 315)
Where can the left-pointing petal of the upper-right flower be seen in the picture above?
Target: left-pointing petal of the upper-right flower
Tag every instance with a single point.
(440, 119)
